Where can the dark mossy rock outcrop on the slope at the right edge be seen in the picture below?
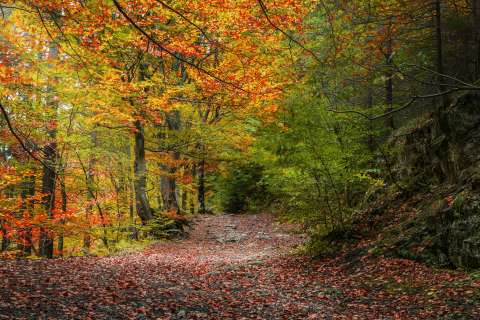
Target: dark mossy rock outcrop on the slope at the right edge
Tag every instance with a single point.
(442, 155)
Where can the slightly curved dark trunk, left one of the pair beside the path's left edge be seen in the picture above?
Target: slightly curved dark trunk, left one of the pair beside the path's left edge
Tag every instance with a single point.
(140, 175)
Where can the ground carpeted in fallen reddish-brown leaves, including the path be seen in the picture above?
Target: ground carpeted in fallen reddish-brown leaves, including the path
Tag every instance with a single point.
(233, 267)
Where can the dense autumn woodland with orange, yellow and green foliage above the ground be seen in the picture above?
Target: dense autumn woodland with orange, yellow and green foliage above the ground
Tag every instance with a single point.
(123, 119)
